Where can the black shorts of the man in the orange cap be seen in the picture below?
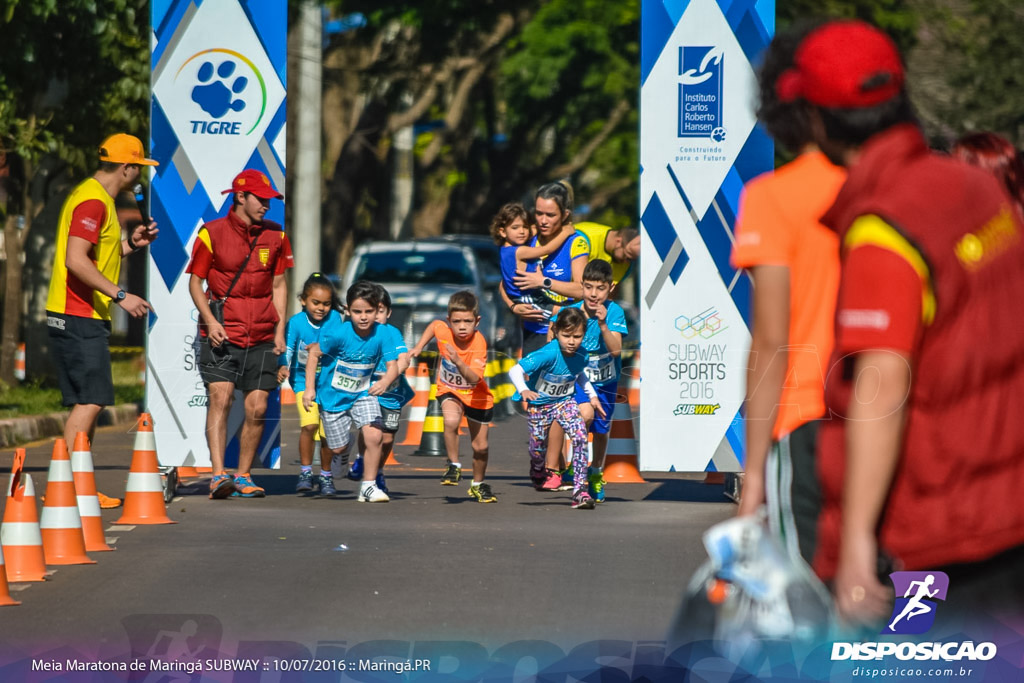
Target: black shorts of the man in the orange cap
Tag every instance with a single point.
(81, 352)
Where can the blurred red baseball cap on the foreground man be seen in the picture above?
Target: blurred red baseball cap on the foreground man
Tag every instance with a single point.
(844, 65)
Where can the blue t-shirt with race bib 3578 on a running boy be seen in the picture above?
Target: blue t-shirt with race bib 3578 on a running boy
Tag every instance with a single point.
(349, 363)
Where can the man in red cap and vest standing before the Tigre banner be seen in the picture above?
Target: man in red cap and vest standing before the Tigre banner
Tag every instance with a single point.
(242, 259)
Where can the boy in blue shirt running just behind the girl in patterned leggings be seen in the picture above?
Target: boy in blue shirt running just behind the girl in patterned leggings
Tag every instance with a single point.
(604, 341)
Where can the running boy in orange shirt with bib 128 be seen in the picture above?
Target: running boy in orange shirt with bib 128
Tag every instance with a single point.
(462, 389)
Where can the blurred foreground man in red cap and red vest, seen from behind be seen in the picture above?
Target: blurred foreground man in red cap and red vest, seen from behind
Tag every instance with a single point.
(918, 469)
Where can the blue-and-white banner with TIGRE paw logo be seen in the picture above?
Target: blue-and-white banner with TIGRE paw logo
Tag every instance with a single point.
(219, 108)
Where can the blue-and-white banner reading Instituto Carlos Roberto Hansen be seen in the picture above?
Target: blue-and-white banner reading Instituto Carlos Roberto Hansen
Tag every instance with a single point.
(699, 145)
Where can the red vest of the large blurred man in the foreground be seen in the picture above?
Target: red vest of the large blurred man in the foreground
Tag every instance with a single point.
(957, 493)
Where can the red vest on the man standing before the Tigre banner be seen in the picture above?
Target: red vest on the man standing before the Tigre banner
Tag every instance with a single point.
(249, 314)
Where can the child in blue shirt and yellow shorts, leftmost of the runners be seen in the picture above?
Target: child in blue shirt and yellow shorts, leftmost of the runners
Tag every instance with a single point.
(320, 304)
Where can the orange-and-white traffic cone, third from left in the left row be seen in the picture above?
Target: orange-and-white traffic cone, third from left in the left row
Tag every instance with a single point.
(61, 524)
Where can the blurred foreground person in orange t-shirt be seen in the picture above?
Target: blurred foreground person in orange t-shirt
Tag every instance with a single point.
(794, 264)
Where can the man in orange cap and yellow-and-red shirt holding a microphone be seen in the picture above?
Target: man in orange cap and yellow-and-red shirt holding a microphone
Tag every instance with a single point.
(84, 285)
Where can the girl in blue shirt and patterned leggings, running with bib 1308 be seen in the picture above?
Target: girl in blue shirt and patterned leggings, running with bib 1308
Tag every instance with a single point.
(553, 371)
